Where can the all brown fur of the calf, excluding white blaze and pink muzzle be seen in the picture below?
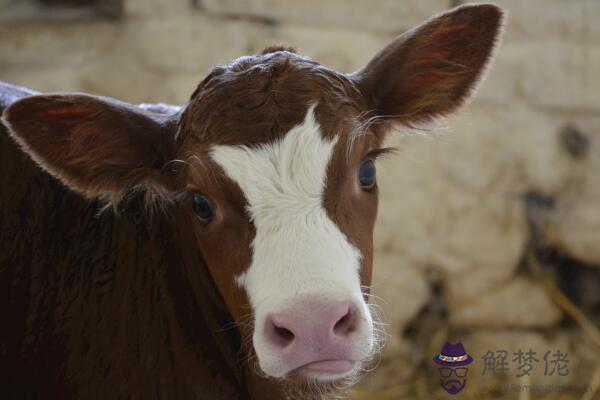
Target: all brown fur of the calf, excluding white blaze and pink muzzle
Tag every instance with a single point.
(145, 305)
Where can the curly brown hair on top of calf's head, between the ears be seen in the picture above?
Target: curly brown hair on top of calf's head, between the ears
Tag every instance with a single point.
(258, 99)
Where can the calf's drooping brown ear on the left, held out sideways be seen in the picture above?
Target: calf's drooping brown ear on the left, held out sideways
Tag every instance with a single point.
(97, 146)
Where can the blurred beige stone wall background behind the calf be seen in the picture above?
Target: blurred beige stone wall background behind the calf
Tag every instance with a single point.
(489, 227)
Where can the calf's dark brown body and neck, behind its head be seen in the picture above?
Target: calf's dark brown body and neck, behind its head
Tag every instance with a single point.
(103, 306)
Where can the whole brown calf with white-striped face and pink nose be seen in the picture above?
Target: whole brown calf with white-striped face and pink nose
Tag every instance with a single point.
(244, 217)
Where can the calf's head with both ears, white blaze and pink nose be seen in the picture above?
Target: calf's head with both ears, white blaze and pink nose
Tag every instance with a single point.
(272, 161)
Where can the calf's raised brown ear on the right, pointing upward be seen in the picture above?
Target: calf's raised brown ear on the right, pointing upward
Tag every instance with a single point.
(430, 71)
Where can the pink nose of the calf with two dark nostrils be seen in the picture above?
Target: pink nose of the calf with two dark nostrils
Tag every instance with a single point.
(315, 336)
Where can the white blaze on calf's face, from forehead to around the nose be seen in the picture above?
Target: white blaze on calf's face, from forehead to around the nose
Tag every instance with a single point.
(298, 251)
